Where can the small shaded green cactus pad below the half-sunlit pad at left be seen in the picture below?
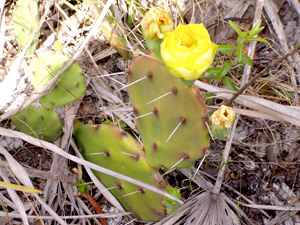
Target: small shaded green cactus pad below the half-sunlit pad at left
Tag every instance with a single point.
(38, 122)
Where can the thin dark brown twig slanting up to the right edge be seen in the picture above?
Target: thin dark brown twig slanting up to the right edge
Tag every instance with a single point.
(261, 73)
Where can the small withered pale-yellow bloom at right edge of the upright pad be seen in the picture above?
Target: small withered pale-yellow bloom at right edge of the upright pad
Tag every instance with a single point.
(223, 117)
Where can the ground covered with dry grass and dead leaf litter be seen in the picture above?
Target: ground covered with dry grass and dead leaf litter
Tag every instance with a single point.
(260, 175)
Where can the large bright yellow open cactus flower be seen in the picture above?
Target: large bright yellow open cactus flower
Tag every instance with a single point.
(188, 51)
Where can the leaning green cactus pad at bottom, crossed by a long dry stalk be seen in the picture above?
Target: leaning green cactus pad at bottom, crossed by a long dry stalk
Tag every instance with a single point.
(108, 147)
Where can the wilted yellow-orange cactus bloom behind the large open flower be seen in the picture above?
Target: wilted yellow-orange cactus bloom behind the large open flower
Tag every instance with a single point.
(156, 23)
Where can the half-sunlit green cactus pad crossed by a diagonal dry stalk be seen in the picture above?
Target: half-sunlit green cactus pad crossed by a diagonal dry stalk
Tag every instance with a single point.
(70, 86)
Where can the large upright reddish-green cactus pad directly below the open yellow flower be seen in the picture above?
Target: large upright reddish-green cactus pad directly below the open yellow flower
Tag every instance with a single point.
(171, 117)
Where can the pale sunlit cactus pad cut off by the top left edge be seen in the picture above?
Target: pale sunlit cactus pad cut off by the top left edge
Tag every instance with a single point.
(26, 18)
